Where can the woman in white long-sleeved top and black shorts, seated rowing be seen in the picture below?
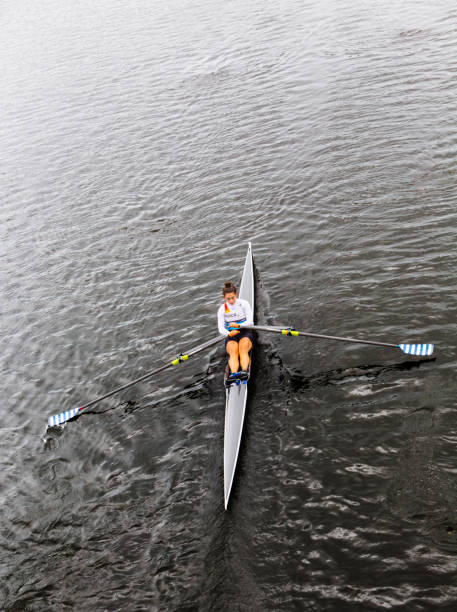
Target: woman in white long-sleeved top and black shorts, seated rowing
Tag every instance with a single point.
(231, 316)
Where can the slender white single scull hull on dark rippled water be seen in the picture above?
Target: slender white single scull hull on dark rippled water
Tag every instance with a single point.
(236, 394)
